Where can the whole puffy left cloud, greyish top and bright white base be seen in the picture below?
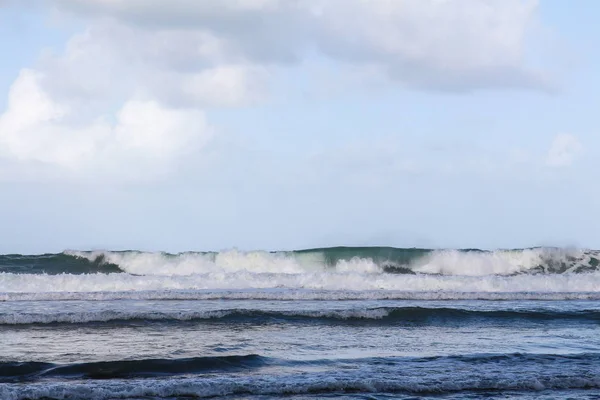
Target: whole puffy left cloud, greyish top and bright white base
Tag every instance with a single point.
(120, 103)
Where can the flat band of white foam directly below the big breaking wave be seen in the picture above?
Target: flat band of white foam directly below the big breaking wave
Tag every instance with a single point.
(328, 281)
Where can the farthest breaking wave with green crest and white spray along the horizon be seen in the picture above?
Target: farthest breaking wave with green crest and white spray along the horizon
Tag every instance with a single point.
(369, 260)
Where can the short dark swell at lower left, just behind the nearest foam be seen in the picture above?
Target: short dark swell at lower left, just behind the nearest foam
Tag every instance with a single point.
(27, 371)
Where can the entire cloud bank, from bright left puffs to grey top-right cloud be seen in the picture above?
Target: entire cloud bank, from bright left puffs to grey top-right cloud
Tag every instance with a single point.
(131, 94)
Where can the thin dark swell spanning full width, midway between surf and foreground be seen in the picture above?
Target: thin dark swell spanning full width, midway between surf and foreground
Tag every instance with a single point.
(379, 315)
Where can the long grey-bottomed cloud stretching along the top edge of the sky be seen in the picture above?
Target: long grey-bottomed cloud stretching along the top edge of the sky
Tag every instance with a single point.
(433, 44)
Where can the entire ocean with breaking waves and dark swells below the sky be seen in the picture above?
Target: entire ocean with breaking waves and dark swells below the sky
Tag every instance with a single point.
(343, 323)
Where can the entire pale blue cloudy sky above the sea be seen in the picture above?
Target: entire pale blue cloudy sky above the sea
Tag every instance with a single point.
(283, 124)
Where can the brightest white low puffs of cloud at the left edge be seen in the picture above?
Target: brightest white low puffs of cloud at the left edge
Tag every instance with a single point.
(141, 142)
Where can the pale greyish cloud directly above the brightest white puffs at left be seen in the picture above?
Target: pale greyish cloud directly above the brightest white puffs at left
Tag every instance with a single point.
(110, 61)
